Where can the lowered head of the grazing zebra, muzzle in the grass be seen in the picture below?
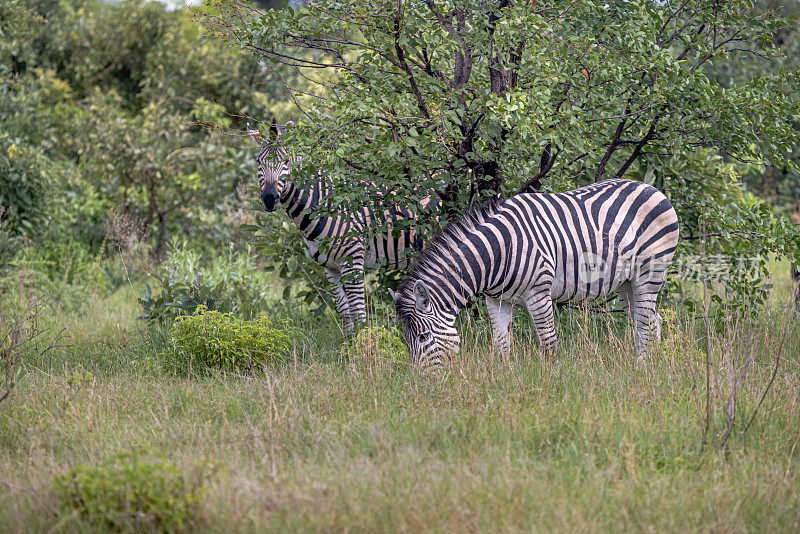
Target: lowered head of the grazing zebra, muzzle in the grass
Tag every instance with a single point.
(429, 333)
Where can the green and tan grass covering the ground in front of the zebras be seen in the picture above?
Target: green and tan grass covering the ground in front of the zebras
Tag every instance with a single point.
(585, 440)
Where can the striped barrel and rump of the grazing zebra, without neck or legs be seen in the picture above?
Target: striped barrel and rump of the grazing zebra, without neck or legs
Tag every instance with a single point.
(595, 237)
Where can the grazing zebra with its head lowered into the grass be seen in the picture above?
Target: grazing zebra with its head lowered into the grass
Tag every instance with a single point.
(534, 249)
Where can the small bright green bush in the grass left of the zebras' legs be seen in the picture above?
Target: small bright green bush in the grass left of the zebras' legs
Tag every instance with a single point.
(212, 339)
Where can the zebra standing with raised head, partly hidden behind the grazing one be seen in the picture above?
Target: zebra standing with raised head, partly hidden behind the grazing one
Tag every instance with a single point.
(335, 243)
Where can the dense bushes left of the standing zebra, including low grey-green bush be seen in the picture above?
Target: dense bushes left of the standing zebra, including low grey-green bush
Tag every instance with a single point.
(118, 132)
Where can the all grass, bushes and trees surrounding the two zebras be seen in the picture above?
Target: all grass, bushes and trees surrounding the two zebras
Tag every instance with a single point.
(126, 202)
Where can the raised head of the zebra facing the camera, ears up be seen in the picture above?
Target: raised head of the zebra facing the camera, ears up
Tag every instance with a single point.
(274, 164)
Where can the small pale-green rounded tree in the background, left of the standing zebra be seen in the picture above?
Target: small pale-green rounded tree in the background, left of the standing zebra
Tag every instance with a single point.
(165, 169)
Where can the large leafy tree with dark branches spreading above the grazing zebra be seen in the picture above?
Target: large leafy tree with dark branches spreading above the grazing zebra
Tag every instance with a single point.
(475, 98)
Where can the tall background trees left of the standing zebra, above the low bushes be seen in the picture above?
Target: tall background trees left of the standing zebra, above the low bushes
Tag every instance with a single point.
(124, 107)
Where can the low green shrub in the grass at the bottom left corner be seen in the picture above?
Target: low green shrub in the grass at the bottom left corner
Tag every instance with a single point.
(130, 493)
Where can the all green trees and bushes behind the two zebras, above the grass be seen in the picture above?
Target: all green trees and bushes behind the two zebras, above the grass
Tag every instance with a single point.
(121, 127)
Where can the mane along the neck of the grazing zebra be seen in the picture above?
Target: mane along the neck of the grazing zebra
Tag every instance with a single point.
(439, 251)
